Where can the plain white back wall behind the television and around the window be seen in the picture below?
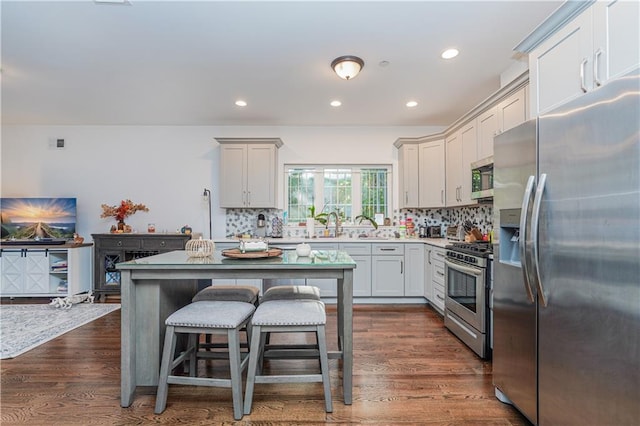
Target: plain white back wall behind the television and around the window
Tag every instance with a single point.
(165, 167)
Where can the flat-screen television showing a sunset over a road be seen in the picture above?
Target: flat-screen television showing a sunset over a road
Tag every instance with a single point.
(31, 218)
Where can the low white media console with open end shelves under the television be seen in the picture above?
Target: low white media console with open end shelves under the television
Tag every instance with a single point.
(45, 271)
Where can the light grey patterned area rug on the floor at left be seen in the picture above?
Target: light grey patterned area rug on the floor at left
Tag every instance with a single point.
(23, 327)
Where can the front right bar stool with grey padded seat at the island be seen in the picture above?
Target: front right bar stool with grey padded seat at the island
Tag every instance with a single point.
(286, 316)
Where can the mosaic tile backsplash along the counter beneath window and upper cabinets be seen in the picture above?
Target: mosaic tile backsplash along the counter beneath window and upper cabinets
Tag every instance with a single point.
(244, 221)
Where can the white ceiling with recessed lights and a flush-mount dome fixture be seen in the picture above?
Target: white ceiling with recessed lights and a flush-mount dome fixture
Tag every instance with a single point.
(186, 63)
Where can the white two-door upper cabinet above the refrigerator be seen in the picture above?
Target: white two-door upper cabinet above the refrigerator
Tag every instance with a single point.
(601, 43)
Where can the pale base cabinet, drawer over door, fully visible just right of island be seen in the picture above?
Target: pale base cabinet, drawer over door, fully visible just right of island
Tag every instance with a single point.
(387, 269)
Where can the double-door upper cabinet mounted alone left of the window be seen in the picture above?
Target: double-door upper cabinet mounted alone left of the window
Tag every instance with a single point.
(248, 172)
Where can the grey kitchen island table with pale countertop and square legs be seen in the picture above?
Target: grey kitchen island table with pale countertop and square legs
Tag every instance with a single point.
(156, 286)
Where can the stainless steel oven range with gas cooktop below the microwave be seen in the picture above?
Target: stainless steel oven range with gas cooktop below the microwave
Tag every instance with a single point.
(468, 292)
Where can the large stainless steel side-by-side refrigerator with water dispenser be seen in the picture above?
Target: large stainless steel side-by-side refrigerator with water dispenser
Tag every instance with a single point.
(566, 294)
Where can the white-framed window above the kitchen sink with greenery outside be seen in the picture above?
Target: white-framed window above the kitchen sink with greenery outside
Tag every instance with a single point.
(350, 190)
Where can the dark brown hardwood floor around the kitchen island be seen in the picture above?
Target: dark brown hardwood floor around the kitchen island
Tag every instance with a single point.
(408, 369)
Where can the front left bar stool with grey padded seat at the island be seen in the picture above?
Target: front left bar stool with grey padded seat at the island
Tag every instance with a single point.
(208, 317)
